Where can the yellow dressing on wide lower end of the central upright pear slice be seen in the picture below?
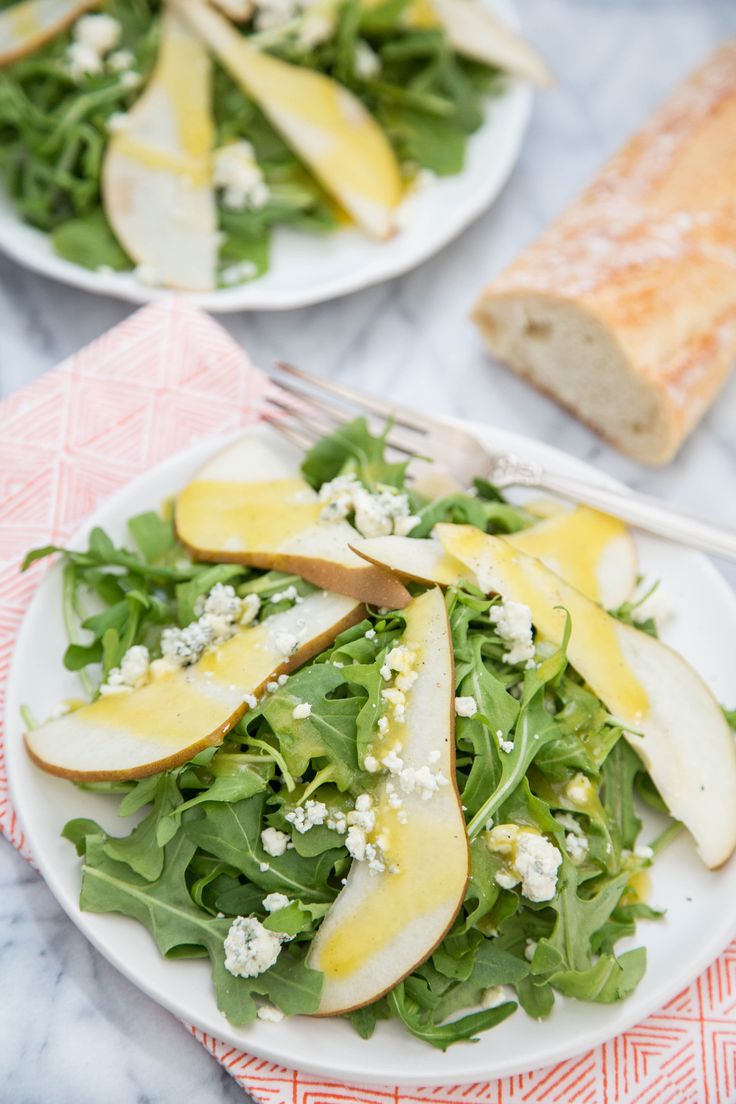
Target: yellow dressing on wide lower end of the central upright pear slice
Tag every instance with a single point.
(422, 844)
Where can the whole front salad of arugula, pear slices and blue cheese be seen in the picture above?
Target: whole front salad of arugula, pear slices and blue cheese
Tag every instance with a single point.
(386, 752)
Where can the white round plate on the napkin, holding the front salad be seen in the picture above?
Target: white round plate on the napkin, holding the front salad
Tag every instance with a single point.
(701, 905)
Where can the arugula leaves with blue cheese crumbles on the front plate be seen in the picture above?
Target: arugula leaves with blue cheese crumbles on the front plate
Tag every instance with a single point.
(242, 852)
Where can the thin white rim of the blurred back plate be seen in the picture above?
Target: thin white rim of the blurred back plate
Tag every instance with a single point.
(517, 100)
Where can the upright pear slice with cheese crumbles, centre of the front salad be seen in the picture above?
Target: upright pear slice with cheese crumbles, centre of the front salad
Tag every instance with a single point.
(382, 926)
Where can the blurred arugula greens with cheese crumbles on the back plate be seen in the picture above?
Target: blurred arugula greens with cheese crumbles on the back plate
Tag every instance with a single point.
(57, 118)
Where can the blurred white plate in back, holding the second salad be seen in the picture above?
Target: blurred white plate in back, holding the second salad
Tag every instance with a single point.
(313, 269)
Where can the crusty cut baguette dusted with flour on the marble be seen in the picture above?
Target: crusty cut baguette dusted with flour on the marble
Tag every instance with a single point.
(625, 310)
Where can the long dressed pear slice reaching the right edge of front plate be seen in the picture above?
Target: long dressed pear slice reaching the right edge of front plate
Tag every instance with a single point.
(671, 718)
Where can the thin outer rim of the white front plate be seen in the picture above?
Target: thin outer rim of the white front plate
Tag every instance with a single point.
(707, 952)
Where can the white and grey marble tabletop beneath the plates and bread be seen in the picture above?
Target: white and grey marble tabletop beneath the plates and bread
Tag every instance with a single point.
(71, 1028)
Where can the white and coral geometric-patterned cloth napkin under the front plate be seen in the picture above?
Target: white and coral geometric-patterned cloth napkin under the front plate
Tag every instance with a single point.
(166, 377)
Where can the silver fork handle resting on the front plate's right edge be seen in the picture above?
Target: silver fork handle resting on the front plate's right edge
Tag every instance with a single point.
(647, 514)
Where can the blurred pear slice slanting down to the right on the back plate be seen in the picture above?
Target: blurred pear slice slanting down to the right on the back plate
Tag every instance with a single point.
(323, 122)
